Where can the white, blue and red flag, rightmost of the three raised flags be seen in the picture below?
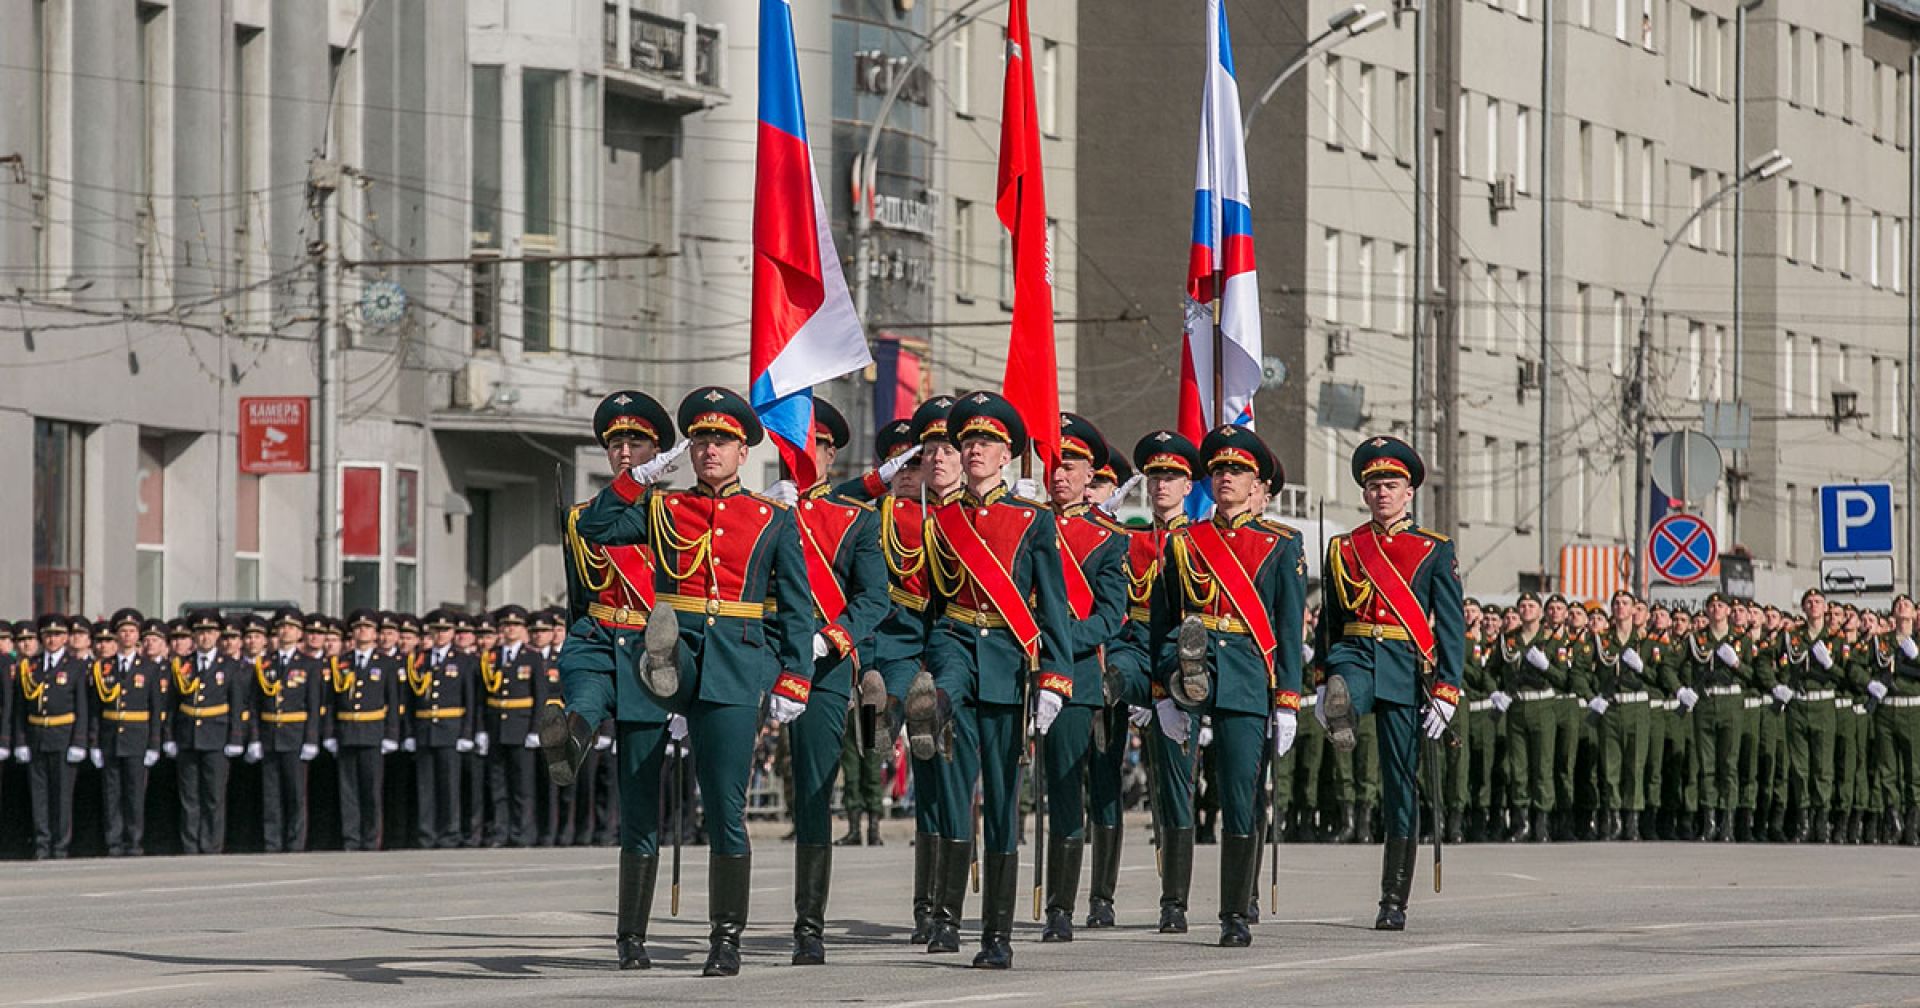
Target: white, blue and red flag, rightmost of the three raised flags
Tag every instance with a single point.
(1220, 268)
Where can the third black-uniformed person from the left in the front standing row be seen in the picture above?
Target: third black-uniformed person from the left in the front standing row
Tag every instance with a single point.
(208, 729)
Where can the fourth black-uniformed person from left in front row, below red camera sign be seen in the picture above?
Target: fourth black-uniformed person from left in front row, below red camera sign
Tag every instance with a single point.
(287, 713)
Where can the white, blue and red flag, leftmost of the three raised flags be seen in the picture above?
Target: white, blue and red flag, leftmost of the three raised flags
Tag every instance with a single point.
(805, 329)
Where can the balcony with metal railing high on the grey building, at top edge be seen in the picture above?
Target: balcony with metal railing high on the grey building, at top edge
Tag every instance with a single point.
(665, 59)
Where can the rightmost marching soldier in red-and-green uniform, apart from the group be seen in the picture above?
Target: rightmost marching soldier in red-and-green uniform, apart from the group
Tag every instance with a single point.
(1395, 644)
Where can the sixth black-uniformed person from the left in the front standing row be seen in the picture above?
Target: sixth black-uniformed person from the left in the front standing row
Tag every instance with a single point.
(441, 696)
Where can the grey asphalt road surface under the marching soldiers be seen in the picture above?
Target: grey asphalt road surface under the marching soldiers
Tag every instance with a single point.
(1541, 924)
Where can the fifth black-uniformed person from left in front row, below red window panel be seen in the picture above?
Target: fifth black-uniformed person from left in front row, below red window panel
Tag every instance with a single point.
(364, 727)
